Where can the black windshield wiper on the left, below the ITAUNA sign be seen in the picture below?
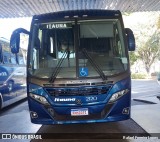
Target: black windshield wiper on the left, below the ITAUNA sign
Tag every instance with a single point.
(57, 69)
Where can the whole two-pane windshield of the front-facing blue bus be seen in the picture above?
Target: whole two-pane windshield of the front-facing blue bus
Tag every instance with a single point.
(57, 49)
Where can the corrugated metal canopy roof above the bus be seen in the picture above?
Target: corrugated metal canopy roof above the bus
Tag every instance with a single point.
(25, 8)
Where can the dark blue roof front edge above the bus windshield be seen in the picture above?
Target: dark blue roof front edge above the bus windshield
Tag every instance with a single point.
(78, 13)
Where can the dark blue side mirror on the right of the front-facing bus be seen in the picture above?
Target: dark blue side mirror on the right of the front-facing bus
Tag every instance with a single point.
(130, 39)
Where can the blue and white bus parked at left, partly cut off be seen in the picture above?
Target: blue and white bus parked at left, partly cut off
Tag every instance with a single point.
(12, 74)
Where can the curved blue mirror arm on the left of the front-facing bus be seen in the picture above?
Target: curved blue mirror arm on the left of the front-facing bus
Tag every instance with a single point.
(15, 39)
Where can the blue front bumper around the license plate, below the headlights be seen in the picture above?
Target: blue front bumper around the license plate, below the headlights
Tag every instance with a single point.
(117, 111)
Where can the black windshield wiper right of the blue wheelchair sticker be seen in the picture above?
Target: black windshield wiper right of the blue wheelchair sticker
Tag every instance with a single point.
(94, 64)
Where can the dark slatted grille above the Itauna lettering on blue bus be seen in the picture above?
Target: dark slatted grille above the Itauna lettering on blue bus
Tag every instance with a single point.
(78, 91)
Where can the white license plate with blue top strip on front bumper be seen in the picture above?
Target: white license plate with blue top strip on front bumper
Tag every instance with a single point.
(79, 112)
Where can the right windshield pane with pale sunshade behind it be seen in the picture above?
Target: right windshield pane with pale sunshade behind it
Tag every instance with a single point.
(104, 43)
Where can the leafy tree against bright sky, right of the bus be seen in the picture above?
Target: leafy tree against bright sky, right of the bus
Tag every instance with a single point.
(146, 28)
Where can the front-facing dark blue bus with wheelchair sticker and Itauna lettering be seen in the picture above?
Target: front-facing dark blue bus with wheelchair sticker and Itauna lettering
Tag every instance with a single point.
(78, 67)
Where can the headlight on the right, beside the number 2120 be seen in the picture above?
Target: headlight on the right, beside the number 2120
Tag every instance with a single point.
(117, 95)
